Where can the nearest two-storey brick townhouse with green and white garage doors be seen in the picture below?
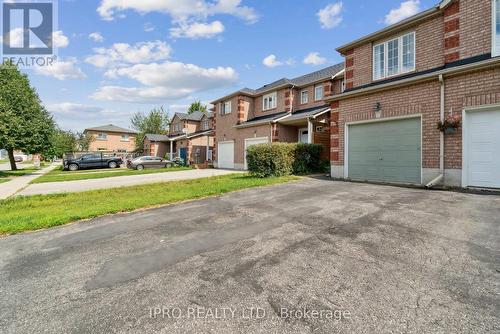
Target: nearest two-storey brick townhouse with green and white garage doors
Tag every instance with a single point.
(400, 81)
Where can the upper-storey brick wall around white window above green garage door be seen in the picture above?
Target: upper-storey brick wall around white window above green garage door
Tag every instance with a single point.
(462, 31)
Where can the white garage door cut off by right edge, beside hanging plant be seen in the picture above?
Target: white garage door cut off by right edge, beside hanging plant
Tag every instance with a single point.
(482, 149)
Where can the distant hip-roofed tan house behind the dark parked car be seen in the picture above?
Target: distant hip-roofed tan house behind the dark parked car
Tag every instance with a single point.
(112, 138)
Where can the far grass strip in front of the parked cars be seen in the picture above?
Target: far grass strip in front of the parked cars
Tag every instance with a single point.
(59, 175)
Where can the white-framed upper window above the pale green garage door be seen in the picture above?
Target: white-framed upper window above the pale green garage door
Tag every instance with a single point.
(393, 57)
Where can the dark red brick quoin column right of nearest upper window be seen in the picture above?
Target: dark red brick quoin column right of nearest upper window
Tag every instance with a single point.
(452, 32)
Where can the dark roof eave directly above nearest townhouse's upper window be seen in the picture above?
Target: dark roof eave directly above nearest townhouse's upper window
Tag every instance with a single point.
(404, 24)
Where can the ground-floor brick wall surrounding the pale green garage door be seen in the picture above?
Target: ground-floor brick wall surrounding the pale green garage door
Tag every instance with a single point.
(473, 89)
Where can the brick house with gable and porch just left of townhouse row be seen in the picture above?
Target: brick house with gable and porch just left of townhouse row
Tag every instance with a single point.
(190, 137)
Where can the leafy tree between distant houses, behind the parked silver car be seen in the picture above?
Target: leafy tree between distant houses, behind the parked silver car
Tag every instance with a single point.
(156, 122)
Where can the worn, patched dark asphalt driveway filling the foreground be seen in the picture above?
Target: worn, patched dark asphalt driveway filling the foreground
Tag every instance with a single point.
(311, 256)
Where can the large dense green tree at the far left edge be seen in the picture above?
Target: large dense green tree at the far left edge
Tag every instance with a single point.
(24, 123)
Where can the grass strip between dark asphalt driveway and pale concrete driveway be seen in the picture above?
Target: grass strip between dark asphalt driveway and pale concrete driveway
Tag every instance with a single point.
(43, 211)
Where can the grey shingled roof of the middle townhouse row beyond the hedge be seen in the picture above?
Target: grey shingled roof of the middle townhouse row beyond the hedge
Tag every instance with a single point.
(304, 80)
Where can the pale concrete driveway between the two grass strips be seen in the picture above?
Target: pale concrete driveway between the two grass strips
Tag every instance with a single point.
(118, 181)
